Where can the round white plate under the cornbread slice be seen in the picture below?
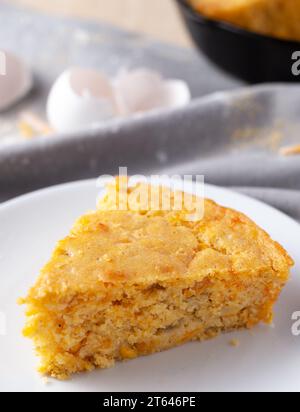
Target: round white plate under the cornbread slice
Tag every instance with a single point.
(267, 359)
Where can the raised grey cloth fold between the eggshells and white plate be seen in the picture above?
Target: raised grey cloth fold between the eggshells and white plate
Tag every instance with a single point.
(232, 138)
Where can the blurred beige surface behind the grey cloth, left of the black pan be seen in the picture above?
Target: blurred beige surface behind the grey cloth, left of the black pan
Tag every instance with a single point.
(145, 16)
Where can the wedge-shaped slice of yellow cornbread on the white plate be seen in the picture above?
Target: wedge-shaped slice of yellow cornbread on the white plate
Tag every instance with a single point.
(135, 282)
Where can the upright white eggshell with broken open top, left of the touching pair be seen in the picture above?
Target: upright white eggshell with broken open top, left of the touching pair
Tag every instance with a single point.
(80, 98)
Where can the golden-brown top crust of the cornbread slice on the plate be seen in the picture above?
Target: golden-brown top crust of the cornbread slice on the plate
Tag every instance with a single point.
(119, 246)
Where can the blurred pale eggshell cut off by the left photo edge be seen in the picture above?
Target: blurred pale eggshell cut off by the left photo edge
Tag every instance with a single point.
(15, 80)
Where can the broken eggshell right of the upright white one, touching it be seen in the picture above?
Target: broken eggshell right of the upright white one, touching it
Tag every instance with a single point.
(143, 90)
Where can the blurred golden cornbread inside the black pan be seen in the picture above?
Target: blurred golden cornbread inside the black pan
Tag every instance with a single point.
(277, 18)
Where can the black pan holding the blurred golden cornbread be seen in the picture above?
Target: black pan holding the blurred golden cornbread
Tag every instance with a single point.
(252, 57)
